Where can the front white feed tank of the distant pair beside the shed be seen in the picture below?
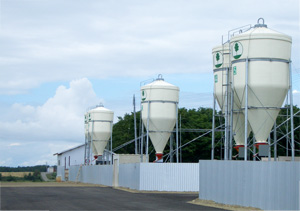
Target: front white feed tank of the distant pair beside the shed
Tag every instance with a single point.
(100, 128)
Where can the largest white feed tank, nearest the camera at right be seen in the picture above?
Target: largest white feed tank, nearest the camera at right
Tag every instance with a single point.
(269, 53)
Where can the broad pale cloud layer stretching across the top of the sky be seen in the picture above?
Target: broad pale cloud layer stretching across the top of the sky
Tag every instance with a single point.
(73, 39)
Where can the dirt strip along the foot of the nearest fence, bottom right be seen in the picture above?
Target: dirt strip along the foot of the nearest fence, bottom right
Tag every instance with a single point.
(221, 206)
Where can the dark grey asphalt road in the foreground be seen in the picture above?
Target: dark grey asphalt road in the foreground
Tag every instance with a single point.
(92, 198)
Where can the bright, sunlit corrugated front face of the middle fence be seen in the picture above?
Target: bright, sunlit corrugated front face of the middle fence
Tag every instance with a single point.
(169, 176)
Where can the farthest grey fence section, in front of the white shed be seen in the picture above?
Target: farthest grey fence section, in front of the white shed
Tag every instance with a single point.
(95, 174)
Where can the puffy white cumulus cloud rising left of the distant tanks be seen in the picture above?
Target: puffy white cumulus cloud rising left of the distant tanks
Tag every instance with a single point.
(59, 118)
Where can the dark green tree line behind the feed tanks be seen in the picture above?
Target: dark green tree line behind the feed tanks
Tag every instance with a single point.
(200, 118)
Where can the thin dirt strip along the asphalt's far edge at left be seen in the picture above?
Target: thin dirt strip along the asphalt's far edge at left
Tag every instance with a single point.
(47, 184)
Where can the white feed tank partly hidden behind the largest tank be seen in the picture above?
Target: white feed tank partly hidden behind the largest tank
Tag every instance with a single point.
(221, 63)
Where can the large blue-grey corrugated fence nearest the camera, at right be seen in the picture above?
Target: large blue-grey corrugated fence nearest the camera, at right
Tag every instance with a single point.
(264, 185)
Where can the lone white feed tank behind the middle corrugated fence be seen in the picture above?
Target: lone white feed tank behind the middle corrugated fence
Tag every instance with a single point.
(162, 97)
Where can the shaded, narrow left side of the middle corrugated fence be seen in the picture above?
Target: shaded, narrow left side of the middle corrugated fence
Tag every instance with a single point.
(129, 175)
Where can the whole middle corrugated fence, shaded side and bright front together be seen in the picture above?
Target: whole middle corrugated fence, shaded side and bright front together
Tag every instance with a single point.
(160, 176)
